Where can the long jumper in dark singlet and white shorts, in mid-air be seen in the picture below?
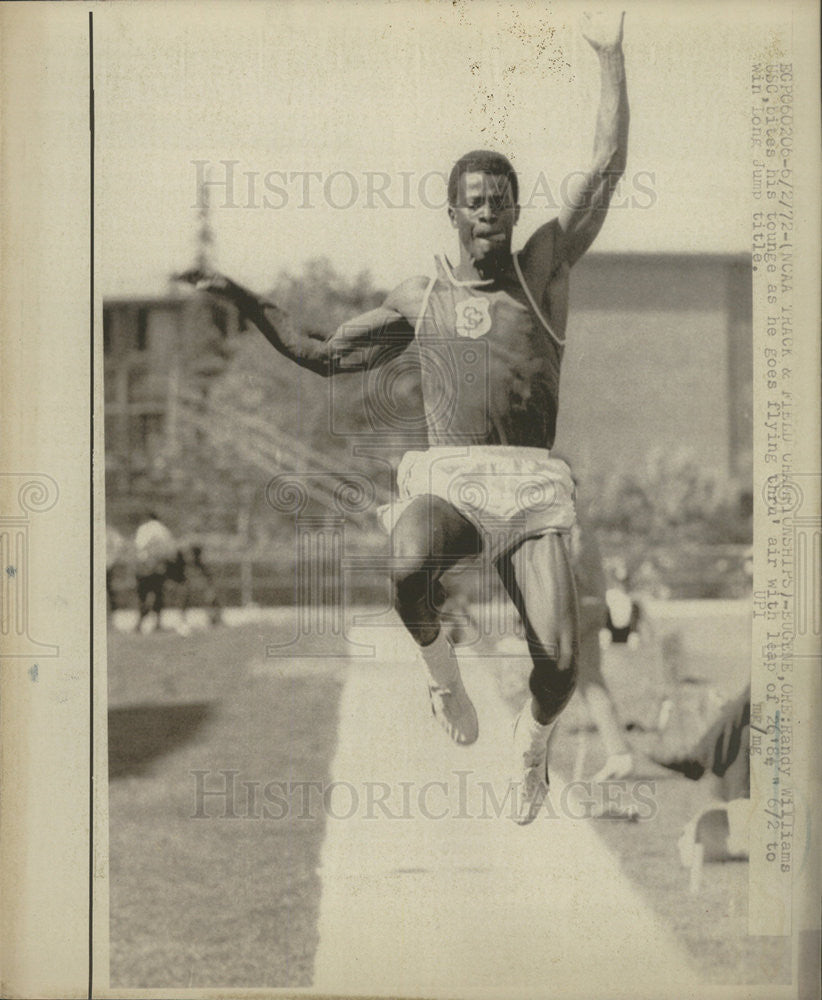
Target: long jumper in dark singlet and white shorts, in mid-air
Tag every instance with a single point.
(490, 336)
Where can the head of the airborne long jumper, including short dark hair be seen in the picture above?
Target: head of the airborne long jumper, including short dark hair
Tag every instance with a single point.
(482, 204)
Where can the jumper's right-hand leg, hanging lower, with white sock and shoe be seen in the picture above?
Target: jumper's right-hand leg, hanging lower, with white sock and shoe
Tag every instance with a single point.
(538, 578)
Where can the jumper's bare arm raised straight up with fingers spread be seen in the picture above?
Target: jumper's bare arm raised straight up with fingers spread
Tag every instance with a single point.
(582, 216)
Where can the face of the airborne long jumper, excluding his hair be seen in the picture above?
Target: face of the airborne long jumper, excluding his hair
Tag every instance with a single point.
(484, 217)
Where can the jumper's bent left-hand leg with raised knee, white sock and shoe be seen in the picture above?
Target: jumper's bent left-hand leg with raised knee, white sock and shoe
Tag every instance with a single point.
(429, 537)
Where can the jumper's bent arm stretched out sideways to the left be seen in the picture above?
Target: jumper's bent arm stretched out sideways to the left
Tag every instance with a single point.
(363, 342)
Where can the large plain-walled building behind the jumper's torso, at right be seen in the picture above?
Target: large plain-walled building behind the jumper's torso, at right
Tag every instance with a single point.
(659, 354)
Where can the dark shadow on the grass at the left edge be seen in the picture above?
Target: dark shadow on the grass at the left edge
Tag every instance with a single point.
(139, 734)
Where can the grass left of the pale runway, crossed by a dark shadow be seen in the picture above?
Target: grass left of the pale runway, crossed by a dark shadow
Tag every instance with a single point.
(215, 901)
